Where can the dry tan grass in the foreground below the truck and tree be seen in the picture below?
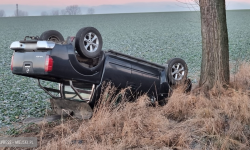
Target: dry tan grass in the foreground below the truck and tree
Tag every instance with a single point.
(185, 122)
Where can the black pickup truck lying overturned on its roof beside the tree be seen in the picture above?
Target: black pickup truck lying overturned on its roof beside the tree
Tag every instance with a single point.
(80, 67)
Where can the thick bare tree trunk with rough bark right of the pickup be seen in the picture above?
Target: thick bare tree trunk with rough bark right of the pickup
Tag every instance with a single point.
(215, 51)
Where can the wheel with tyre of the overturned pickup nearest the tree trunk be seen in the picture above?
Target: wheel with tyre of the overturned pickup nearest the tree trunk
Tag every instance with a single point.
(177, 71)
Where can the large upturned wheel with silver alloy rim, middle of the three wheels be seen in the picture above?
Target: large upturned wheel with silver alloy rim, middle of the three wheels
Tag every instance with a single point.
(88, 42)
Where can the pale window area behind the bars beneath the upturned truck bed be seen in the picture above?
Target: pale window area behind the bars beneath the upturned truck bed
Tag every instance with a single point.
(70, 94)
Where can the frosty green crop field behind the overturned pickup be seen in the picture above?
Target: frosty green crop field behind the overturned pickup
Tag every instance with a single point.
(156, 37)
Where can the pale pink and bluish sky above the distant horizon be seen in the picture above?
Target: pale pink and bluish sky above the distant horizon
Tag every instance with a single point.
(34, 7)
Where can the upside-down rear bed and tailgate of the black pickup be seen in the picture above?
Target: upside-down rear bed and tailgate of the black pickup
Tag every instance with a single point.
(32, 62)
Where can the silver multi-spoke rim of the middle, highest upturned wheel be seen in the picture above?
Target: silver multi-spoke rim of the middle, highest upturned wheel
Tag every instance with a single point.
(91, 42)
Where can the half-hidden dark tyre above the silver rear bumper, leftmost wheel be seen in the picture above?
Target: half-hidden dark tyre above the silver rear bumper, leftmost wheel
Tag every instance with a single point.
(52, 35)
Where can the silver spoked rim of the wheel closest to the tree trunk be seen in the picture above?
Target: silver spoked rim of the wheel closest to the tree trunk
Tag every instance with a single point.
(178, 71)
